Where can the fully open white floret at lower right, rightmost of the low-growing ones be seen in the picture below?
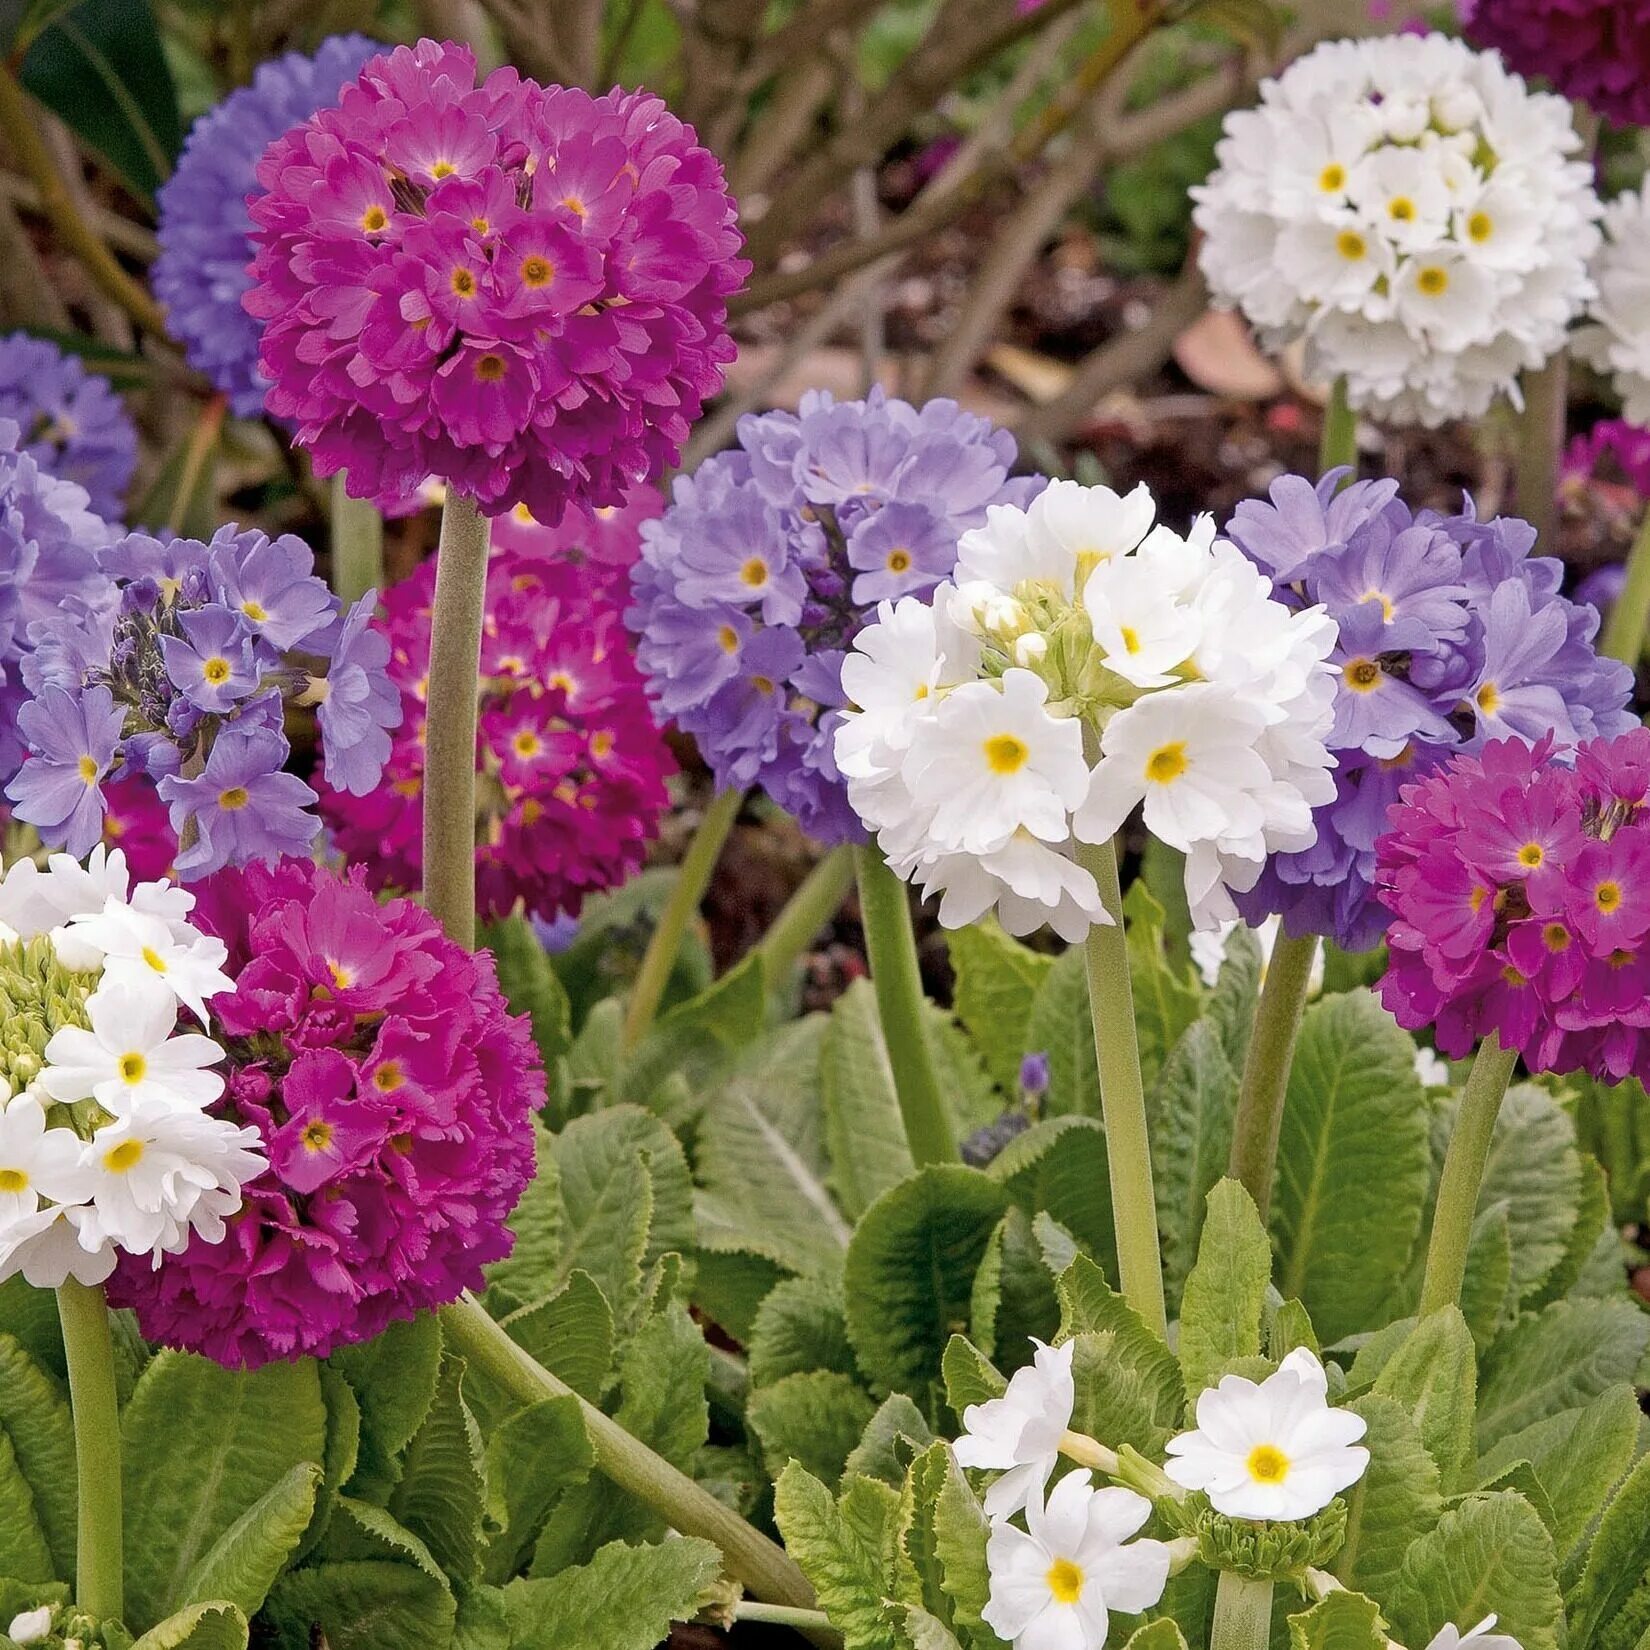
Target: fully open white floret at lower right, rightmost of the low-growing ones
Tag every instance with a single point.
(1271, 1450)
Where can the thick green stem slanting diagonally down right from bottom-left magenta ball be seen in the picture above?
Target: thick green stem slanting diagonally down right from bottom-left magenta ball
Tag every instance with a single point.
(755, 1562)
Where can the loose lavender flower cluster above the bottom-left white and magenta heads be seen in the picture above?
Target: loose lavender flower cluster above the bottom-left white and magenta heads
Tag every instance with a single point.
(184, 679)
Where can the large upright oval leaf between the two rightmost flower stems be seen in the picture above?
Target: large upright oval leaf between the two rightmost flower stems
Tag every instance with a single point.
(1354, 1166)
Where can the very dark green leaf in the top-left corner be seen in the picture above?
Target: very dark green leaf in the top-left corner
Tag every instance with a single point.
(101, 67)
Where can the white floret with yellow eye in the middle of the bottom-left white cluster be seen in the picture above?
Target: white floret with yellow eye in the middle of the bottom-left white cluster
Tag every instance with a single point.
(130, 1055)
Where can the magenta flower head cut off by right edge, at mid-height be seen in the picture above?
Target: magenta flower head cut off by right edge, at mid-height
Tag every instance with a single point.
(1520, 893)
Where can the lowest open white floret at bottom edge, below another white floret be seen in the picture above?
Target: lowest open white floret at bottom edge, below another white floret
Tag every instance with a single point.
(1055, 1583)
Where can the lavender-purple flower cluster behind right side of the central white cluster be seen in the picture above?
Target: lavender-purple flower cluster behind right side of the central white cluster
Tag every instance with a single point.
(1450, 634)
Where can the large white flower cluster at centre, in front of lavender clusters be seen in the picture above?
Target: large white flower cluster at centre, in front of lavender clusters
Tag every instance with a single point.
(1083, 662)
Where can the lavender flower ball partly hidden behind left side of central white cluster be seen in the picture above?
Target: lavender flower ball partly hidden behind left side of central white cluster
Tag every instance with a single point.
(770, 560)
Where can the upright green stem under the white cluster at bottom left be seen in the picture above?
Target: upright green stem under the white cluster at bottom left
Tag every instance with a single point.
(90, 1352)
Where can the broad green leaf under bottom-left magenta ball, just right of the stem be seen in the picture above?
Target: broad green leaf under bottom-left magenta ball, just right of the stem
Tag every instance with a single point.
(200, 1446)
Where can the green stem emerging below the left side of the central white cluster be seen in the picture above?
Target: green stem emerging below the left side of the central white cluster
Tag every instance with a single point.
(892, 945)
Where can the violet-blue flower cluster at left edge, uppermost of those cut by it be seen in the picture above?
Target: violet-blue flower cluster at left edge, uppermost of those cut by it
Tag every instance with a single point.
(72, 422)
